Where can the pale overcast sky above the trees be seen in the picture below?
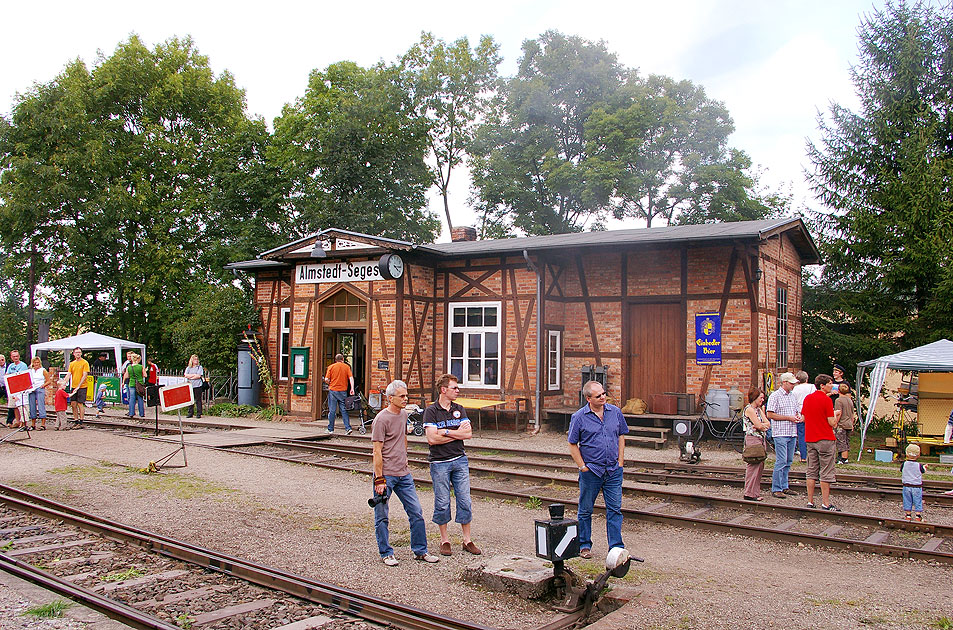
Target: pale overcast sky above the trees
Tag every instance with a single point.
(773, 62)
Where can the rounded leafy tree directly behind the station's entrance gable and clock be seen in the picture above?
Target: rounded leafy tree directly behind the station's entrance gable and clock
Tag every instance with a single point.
(353, 151)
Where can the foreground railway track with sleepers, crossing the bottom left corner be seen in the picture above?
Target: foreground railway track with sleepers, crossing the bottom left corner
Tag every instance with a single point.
(152, 581)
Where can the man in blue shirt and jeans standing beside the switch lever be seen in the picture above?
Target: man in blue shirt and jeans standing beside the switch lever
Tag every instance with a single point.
(597, 445)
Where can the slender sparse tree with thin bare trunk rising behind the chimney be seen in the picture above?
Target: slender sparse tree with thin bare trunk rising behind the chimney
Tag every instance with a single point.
(451, 84)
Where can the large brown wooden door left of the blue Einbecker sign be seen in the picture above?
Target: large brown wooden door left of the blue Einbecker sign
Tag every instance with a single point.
(656, 345)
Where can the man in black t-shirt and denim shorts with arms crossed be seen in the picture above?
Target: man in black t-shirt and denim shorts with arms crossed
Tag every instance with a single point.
(447, 427)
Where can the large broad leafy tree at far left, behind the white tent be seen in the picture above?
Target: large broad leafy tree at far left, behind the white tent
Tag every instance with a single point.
(114, 175)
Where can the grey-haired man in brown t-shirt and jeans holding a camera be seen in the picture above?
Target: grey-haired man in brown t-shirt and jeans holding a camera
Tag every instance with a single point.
(392, 476)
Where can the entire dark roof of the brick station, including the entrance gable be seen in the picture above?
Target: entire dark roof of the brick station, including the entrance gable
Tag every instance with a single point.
(708, 232)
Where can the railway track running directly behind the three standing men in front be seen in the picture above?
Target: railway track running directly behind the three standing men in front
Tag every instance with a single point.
(843, 530)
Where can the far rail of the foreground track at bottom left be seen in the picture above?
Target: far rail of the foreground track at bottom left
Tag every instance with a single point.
(343, 599)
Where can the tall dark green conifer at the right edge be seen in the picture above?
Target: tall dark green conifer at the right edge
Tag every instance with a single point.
(885, 174)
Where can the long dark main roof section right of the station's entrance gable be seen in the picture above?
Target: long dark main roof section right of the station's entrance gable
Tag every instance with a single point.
(739, 230)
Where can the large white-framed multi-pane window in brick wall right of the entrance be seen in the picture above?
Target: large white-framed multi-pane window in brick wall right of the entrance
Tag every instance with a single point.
(474, 348)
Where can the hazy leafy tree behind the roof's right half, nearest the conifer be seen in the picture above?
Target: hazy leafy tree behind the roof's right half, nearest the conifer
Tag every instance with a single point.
(658, 148)
